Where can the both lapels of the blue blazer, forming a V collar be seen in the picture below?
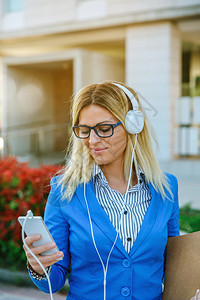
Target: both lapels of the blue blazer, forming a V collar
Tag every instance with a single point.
(101, 219)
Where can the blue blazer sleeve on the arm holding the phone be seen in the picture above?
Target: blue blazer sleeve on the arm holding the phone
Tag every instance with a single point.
(59, 229)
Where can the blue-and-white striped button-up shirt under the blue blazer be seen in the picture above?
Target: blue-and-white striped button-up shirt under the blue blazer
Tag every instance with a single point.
(132, 211)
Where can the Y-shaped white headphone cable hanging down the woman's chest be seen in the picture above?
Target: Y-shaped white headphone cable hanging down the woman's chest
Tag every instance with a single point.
(105, 269)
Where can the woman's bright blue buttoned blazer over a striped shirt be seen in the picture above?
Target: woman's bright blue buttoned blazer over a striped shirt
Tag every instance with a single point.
(134, 276)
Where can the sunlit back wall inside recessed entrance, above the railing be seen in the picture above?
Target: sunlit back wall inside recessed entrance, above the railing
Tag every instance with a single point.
(29, 94)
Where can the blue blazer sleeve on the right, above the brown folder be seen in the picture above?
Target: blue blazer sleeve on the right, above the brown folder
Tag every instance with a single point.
(173, 223)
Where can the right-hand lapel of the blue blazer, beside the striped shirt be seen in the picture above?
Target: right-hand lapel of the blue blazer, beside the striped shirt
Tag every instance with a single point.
(149, 220)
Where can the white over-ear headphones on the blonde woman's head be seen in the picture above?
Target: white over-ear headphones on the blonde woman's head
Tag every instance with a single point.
(134, 120)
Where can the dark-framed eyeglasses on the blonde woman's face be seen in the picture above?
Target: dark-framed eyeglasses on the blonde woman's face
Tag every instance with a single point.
(102, 130)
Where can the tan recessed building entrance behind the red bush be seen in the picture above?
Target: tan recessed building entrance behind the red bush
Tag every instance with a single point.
(38, 97)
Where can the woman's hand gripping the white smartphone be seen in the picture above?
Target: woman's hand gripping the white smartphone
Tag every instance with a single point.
(46, 260)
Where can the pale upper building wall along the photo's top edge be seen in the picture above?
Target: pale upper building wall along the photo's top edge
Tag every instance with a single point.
(37, 13)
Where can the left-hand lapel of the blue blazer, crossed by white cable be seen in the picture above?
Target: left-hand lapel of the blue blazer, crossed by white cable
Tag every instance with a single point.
(98, 215)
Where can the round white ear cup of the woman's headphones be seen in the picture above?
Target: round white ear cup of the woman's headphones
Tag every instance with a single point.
(134, 121)
